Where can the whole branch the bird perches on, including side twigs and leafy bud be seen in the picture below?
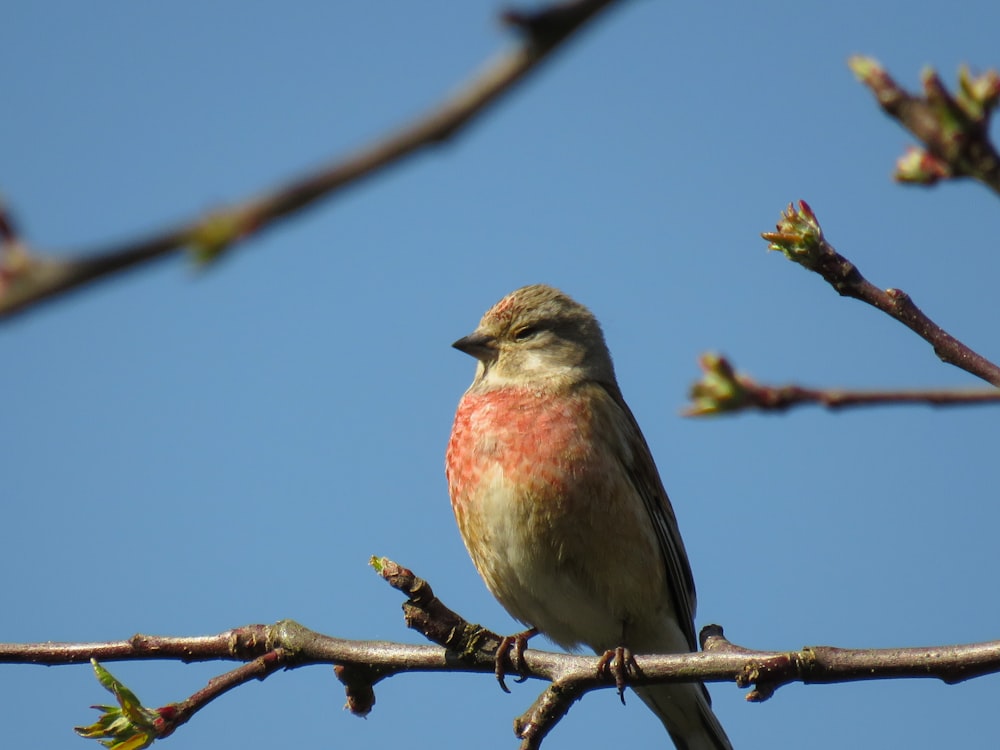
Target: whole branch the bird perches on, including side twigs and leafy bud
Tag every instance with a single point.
(468, 648)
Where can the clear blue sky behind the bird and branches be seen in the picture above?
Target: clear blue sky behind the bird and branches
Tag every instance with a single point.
(183, 453)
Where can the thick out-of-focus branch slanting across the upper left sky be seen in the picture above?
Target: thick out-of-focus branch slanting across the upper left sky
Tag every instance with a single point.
(26, 278)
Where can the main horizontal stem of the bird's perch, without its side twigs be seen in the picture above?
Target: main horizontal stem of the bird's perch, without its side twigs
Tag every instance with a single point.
(718, 663)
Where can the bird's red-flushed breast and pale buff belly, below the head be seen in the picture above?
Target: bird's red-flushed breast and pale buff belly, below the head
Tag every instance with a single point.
(549, 513)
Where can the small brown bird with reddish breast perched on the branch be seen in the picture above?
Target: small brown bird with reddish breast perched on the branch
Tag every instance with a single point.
(559, 502)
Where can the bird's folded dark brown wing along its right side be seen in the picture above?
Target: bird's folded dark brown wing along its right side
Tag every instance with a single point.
(649, 486)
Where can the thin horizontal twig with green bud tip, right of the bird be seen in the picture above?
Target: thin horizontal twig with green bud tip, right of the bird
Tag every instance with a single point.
(722, 390)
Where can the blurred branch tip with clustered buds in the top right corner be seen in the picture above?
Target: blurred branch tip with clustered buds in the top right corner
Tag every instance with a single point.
(953, 128)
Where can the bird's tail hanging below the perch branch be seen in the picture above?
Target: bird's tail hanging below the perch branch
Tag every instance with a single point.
(686, 711)
